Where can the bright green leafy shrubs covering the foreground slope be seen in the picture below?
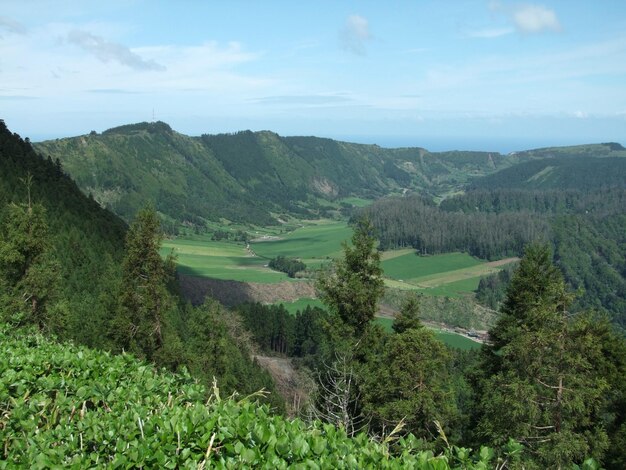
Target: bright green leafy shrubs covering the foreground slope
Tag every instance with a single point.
(73, 407)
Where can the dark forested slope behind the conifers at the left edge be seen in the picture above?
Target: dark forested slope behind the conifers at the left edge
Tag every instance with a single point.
(87, 240)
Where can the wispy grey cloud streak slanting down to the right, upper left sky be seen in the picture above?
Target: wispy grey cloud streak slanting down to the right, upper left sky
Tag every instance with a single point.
(110, 52)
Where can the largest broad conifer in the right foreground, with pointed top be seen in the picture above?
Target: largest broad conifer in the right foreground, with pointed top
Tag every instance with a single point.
(541, 387)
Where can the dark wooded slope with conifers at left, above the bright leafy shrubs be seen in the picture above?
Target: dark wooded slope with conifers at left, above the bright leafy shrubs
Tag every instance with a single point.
(72, 269)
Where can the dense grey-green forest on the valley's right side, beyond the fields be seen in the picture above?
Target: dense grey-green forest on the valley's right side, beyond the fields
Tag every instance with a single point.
(585, 229)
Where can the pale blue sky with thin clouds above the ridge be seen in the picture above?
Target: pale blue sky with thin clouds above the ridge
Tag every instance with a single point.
(472, 75)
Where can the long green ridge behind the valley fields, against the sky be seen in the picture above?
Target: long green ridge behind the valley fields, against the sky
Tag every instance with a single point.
(249, 176)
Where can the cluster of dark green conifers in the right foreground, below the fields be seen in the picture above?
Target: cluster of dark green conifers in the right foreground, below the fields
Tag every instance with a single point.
(560, 406)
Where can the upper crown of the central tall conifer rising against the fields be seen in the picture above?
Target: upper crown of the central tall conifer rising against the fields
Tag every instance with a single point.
(353, 289)
